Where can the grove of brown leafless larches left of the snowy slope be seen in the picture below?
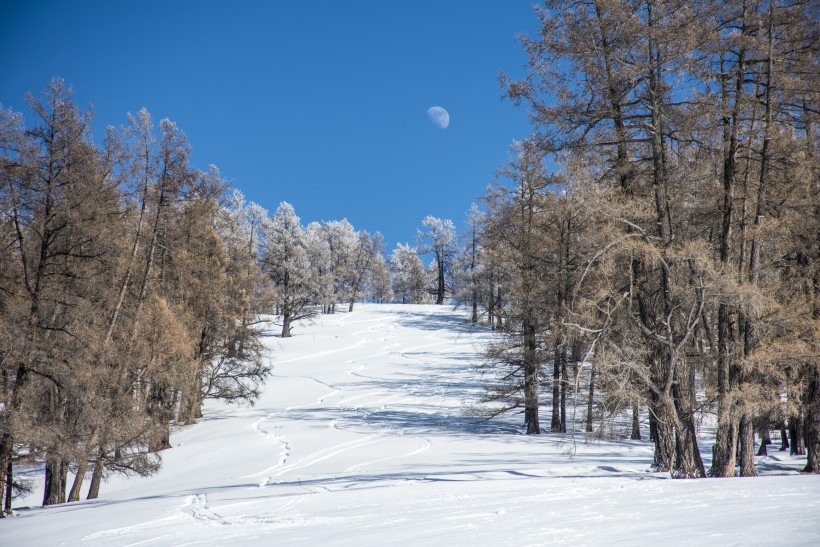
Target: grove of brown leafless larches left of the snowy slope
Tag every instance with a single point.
(124, 299)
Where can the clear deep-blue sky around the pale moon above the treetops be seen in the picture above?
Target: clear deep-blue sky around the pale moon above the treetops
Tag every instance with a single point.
(321, 104)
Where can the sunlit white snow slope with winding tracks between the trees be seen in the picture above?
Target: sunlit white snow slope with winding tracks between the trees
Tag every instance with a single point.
(361, 438)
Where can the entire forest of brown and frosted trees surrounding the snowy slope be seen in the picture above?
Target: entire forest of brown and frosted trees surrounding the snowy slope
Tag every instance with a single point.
(651, 249)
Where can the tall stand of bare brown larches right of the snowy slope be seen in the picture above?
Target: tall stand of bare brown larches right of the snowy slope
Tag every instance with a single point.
(662, 223)
